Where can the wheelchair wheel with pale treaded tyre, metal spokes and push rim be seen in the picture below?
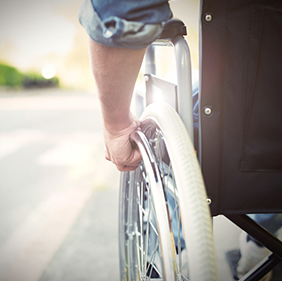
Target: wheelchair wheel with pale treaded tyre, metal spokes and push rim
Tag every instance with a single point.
(164, 221)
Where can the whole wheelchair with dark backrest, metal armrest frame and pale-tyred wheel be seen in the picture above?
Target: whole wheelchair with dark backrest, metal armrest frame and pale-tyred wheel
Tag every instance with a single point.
(231, 166)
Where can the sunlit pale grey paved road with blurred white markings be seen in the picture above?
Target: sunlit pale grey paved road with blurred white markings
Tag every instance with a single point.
(58, 196)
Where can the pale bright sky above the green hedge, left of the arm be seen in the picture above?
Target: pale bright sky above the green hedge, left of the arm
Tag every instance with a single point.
(34, 33)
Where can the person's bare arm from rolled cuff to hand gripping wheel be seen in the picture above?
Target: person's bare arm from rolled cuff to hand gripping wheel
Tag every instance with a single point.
(115, 71)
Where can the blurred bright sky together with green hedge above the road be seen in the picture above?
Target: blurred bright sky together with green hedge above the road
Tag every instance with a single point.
(44, 40)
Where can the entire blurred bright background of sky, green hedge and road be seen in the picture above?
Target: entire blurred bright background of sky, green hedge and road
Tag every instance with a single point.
(58, 196)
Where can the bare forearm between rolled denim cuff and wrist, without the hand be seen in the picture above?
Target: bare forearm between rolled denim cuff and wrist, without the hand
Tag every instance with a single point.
(115, 71)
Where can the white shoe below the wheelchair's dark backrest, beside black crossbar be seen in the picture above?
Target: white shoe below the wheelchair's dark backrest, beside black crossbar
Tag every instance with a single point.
(251, 255)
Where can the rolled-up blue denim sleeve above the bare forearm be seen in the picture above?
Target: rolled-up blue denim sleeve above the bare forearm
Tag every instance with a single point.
(124, 23)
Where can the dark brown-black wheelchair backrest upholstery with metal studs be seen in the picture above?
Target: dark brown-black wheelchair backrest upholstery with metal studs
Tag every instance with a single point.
(241, 64)
